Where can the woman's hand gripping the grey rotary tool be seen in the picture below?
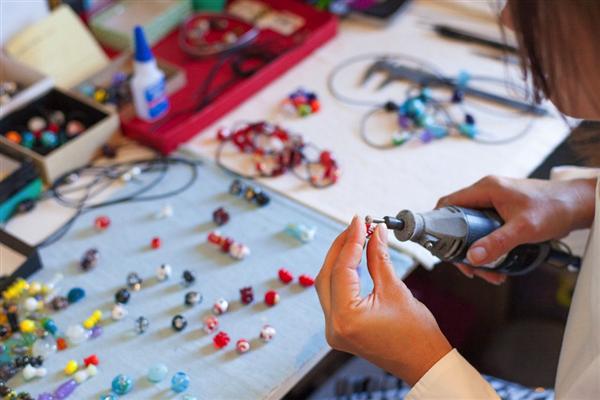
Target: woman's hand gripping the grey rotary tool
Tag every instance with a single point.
(533, 211)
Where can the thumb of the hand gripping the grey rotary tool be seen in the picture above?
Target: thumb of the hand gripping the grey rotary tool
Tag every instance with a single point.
(495, 245)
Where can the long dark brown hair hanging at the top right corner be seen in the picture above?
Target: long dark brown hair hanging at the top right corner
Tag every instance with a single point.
(555, 37)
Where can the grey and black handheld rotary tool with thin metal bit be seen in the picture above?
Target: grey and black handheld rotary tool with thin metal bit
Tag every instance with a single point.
(448, 233)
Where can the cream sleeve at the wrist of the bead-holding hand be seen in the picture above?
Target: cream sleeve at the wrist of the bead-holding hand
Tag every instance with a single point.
(452, 377)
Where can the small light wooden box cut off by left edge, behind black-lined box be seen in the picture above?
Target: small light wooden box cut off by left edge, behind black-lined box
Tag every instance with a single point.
(19, 84)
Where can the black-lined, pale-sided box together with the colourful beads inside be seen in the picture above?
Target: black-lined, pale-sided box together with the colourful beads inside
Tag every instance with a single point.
(59, 131)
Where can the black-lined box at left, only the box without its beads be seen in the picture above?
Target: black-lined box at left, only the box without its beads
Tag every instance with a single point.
(100, 123)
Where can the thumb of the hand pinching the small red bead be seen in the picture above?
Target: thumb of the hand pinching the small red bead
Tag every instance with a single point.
(380, 266)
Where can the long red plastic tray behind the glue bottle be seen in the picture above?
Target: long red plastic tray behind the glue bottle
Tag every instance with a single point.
(185, 123)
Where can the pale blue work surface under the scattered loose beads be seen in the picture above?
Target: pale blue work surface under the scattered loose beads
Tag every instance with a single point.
(268, 370)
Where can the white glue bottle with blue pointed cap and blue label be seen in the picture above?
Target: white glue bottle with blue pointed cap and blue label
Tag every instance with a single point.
(148, 82)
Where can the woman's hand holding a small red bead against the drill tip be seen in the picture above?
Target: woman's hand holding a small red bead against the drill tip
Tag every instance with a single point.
(389, 327)
